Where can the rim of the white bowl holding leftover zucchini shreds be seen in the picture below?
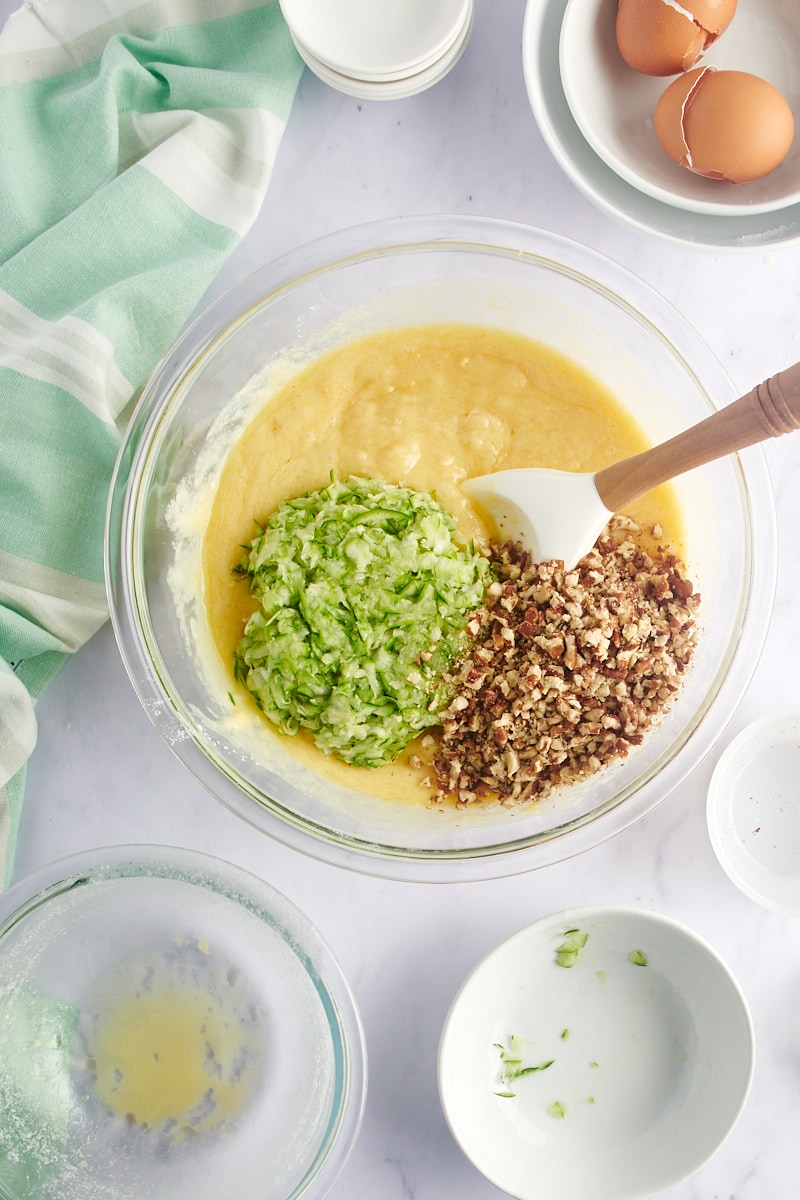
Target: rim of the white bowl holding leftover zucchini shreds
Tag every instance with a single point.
(579, 917)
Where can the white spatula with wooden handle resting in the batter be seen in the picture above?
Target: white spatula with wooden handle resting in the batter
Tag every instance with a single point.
(561, 514)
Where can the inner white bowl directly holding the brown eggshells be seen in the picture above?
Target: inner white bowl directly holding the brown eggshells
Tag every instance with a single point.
(613, 105)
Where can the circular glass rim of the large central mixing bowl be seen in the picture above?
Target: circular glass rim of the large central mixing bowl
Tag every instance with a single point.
(366, 243)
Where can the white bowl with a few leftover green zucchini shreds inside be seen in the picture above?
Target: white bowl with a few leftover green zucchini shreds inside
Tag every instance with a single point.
(615, 1078)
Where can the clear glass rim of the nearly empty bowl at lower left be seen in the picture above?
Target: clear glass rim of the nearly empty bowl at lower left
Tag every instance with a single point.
(267, 903)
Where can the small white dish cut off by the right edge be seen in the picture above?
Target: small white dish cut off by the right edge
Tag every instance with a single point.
(754, 812)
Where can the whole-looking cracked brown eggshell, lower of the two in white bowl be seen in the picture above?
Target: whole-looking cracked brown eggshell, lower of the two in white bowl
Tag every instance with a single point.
(725, 124)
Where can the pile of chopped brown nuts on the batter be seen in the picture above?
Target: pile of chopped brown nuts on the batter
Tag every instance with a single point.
(568, 669)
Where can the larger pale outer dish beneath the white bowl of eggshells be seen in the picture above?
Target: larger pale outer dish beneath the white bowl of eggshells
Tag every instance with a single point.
(605, 188)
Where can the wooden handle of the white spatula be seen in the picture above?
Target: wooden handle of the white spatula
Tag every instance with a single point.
(767, 412)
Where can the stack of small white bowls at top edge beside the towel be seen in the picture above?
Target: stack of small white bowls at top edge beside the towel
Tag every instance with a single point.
(380, 50)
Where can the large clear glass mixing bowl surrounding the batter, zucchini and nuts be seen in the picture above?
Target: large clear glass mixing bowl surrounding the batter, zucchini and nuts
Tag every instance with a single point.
(382, 277)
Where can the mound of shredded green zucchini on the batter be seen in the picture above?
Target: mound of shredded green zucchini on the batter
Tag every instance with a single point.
(364, 599)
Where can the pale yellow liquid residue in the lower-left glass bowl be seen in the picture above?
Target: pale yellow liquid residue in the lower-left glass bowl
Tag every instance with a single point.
(173, 1059)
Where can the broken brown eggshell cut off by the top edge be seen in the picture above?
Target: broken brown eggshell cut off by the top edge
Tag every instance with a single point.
(661, 38)
